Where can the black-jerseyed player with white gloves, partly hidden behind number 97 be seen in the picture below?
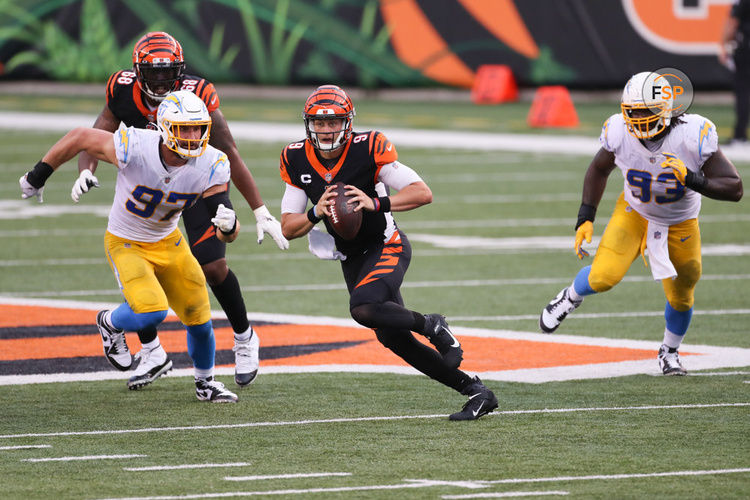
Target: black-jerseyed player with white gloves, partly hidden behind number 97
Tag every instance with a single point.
(133, 97)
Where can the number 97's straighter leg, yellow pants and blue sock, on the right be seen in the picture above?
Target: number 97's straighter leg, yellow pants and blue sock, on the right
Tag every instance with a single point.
(185, 286)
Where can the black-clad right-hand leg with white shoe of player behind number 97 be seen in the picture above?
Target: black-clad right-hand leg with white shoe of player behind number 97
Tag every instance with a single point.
(210, 253)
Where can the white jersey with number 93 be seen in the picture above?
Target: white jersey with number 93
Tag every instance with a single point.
(651, 190)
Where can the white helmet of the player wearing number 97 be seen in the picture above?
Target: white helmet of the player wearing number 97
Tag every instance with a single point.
(183, 109)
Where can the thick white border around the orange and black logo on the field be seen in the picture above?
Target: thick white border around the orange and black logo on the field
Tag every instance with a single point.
(695, 356)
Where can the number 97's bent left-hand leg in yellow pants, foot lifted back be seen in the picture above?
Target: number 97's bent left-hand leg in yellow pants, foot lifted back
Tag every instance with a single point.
(146, 303)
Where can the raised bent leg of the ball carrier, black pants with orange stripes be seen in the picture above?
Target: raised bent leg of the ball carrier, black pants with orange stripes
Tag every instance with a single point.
(374, 282)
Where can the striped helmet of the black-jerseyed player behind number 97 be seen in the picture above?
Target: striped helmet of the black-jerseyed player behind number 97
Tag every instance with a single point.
(158, 64)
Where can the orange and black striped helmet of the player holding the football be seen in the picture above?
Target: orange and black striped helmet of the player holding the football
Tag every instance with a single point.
(328, 102)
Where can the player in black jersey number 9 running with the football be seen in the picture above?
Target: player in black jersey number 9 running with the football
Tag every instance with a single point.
(375, 260)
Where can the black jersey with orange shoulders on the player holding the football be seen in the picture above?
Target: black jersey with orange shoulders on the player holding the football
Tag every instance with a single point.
(358, 165)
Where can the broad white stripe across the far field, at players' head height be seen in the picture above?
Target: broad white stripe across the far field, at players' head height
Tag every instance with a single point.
(285, 132)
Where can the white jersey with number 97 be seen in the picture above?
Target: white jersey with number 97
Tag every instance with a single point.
(149, 198)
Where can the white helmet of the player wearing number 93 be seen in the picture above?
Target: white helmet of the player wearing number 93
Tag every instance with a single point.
(642, 93)
